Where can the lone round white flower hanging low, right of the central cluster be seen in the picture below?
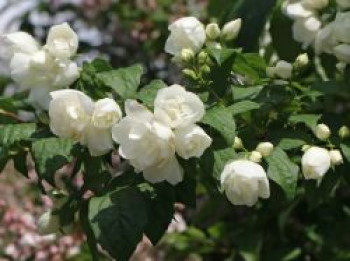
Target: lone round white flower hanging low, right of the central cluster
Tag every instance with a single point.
(244, 182)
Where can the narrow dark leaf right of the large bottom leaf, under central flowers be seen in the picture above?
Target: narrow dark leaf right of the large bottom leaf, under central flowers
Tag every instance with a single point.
(161, 212)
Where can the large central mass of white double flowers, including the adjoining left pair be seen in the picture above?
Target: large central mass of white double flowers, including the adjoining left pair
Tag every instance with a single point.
(148, 140)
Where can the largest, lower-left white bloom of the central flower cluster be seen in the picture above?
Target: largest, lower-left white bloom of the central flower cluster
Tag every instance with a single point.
(148, 144)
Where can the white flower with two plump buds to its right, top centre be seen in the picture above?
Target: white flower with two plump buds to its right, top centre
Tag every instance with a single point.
(189, 33)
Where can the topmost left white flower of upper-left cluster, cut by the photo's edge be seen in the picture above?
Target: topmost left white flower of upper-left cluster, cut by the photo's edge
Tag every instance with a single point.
(19, 42)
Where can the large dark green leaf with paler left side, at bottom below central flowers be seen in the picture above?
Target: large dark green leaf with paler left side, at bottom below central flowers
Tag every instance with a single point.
(118, 220)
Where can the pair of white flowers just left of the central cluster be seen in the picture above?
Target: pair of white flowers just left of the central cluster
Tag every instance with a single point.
(74, 115)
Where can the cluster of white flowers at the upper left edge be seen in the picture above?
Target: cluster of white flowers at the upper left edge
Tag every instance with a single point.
(41, 69)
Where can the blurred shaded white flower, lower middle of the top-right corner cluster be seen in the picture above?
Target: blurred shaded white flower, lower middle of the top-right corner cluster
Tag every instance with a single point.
(325, 40)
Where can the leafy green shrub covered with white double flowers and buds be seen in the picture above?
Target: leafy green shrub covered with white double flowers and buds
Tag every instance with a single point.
(256, 131)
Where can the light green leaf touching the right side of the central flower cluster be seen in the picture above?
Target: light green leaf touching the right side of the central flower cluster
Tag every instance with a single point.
(220, 118)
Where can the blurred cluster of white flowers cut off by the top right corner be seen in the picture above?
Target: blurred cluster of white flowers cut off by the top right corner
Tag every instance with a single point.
(312, 29)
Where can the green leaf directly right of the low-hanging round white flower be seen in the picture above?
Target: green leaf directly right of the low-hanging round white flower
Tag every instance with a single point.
(283, 171)
